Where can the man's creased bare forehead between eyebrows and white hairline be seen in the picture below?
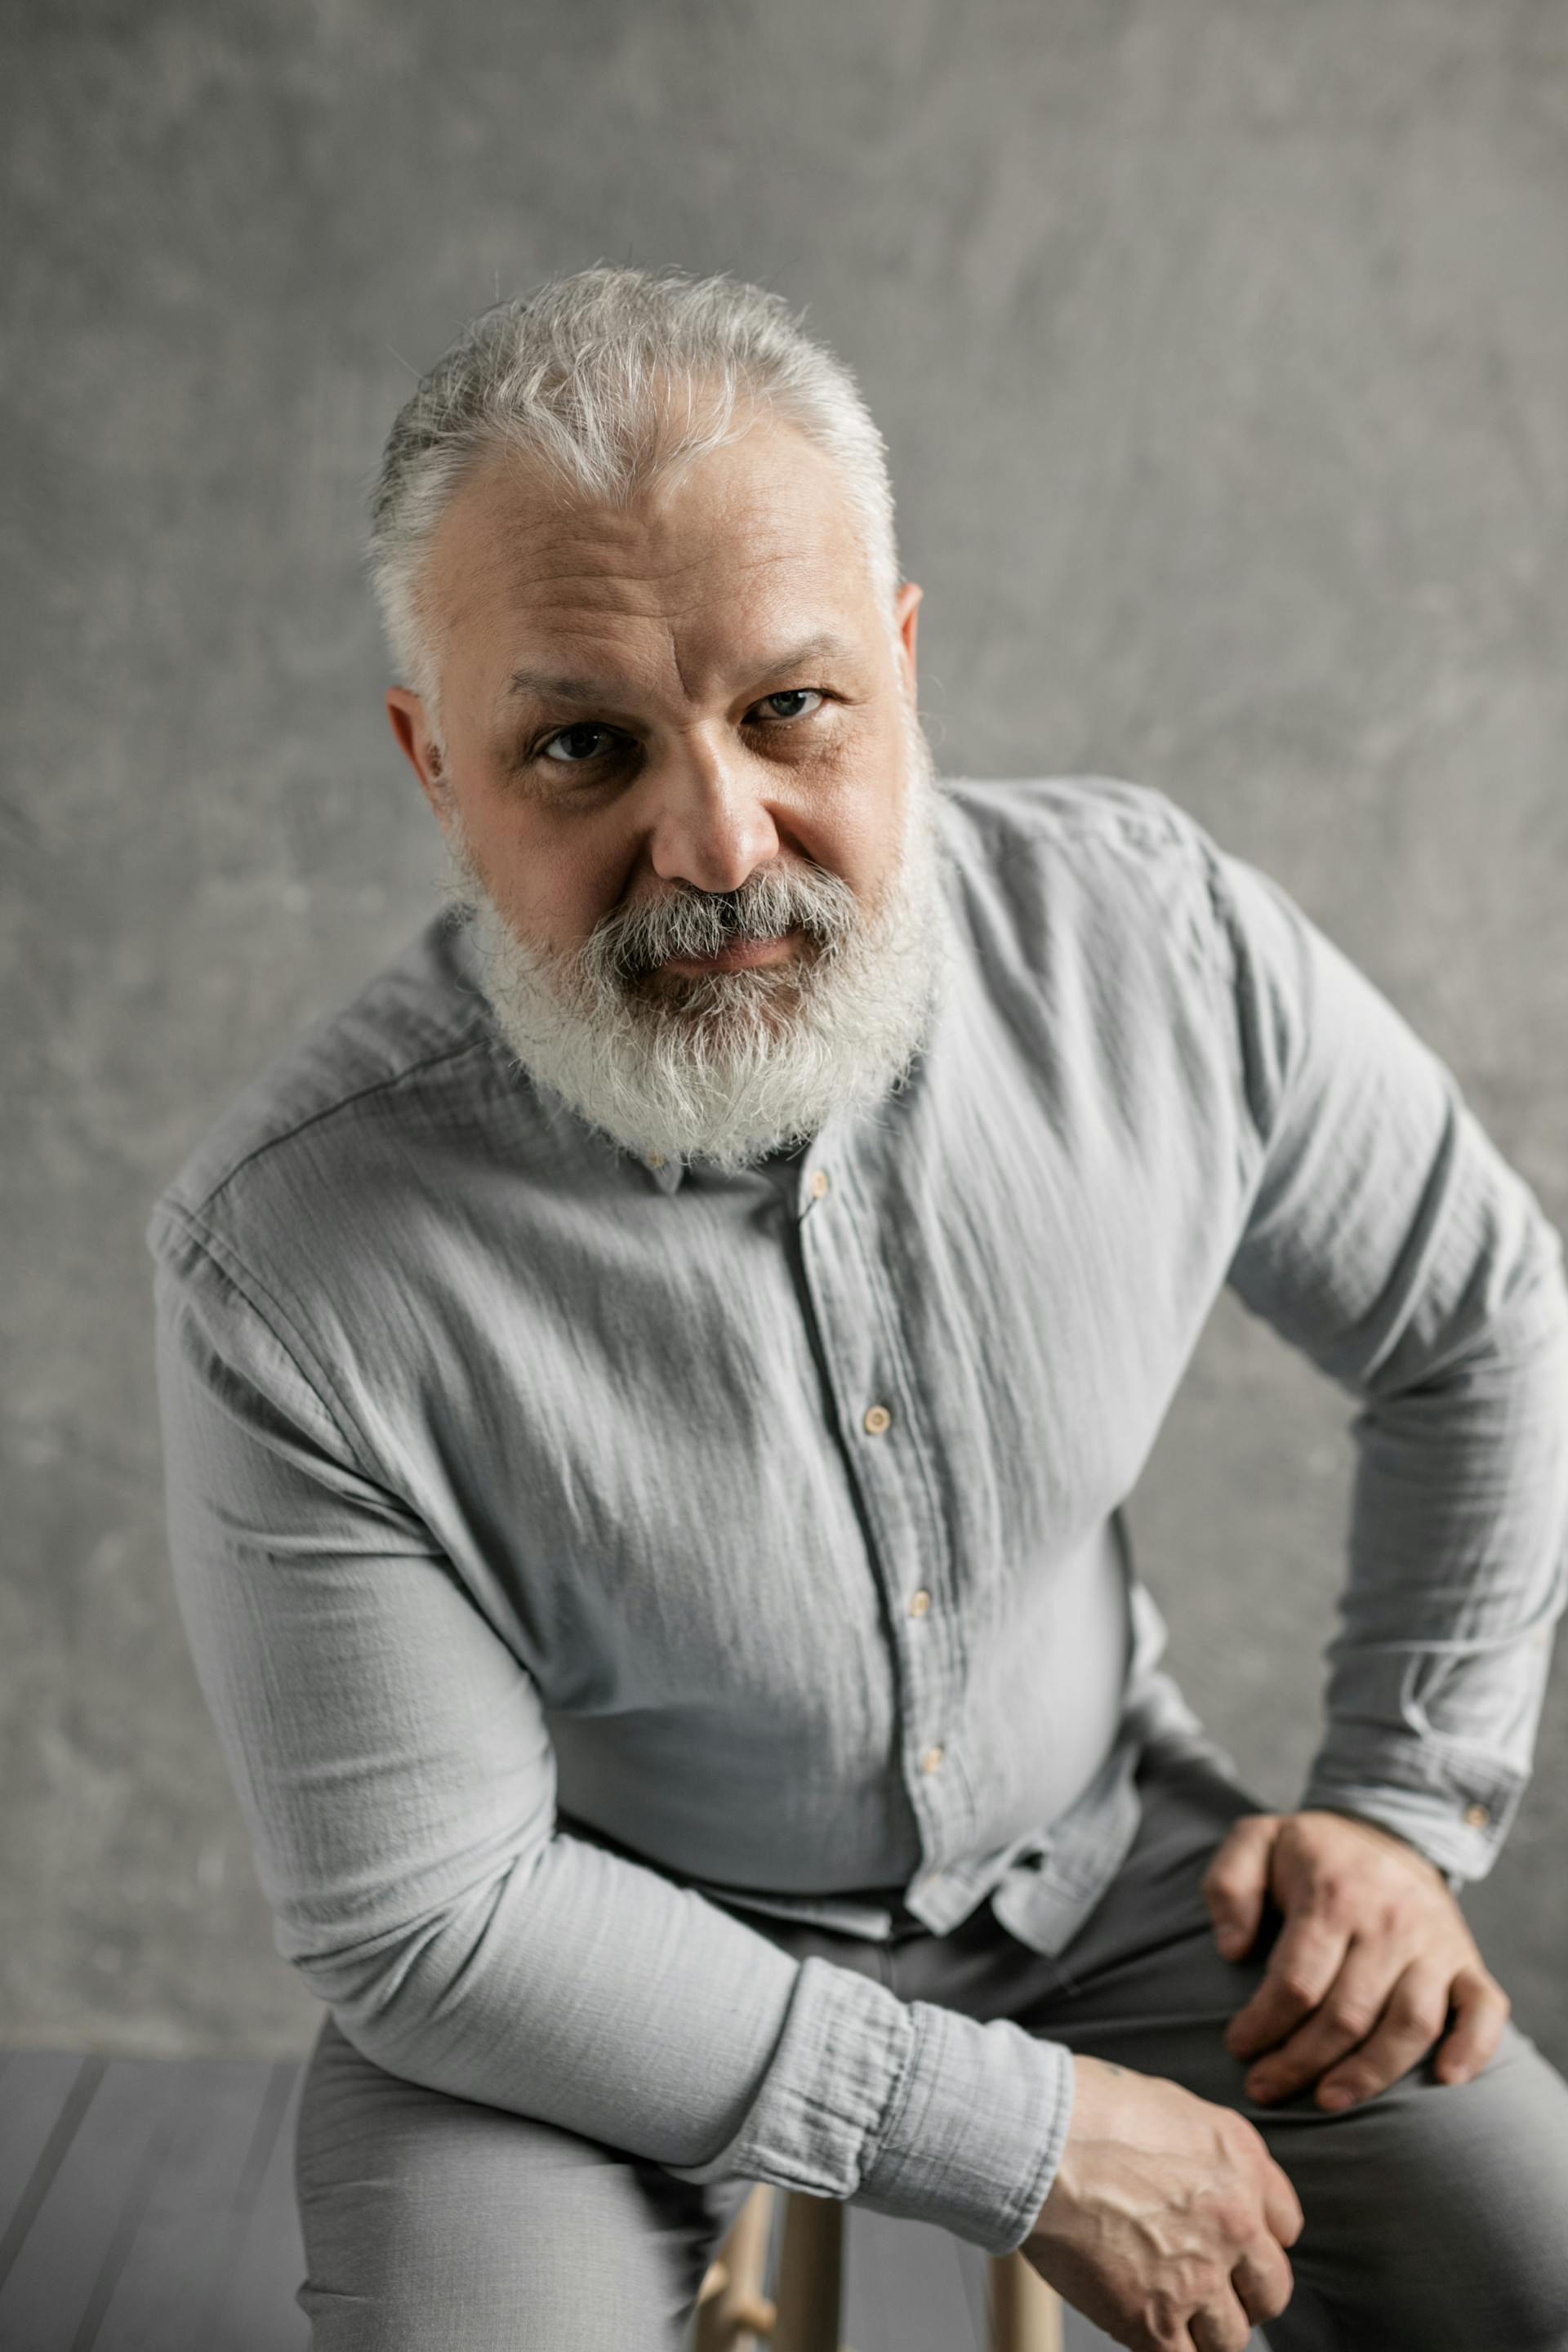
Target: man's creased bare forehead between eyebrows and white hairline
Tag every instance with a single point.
(749, 542)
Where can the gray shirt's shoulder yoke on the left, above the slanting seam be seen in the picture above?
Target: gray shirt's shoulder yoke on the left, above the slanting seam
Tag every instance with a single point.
(413, 1027)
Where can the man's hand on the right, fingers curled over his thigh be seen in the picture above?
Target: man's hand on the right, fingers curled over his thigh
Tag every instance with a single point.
(1369, 1963)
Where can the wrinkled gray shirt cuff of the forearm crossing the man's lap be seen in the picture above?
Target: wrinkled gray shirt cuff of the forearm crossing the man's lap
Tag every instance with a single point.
(909, 2109)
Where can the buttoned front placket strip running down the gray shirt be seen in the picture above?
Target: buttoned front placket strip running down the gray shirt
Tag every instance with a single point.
(887, 1445)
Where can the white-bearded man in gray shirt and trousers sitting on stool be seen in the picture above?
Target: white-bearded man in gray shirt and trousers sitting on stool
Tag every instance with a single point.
(650, 1394)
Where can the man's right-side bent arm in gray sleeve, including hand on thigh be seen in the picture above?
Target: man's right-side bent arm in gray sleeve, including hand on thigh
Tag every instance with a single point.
(1393, 1245)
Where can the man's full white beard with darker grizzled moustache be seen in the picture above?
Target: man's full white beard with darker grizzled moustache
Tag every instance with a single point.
(732, 1067)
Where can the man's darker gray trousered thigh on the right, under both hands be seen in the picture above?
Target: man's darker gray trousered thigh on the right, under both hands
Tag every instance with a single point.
(1435, 2214)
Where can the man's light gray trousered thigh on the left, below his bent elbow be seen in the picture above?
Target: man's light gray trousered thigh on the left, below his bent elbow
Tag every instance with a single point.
(441, 2221)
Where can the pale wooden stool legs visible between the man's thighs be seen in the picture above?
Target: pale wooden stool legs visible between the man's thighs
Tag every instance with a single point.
(735, 2316)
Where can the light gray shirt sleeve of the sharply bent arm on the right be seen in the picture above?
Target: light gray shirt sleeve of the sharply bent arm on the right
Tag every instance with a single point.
(1391, 1241)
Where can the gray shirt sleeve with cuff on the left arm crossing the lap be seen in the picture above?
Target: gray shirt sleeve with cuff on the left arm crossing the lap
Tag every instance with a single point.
(394, 1770)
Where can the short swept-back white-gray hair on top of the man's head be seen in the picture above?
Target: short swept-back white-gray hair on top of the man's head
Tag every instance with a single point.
(612, 377)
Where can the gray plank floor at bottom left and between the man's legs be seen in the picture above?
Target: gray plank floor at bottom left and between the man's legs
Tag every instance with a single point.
(147, 2205)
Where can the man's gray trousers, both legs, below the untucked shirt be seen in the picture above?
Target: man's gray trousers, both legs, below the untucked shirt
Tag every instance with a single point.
(1435, 2214)
